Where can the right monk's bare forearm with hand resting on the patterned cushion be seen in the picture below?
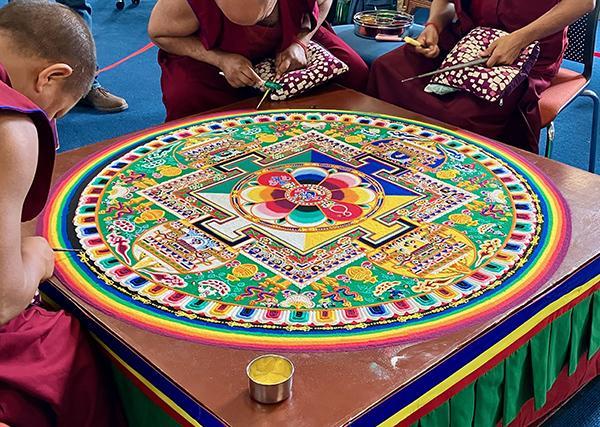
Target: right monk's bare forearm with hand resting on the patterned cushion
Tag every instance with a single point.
(506, 49)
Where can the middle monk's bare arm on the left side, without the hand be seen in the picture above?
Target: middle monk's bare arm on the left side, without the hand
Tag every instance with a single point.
(173, 27)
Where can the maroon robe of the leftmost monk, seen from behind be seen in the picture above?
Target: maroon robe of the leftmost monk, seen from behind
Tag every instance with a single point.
(48, 373)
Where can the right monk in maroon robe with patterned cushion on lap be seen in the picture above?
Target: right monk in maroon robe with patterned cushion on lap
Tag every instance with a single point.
(517, 121)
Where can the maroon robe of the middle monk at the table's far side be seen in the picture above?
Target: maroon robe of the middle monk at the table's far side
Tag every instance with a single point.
(190, 86)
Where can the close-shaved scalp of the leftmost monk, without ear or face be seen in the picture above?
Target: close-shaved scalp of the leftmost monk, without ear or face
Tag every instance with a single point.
(54, 34)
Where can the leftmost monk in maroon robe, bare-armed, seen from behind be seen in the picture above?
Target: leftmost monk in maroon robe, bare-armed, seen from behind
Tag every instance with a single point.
(48, 375)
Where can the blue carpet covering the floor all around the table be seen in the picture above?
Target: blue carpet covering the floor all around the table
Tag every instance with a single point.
(120, 33)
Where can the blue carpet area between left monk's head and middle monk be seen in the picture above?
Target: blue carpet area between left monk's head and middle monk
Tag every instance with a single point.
(117, 34)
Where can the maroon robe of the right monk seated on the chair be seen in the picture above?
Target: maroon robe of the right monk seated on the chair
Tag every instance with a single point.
(517, 121)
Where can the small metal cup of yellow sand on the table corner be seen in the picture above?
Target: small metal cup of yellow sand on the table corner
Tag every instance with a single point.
(273, 389)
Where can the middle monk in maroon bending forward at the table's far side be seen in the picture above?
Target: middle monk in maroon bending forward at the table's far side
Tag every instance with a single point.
(199, 39)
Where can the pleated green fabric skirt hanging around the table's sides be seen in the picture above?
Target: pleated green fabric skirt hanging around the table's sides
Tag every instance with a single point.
(495, 397)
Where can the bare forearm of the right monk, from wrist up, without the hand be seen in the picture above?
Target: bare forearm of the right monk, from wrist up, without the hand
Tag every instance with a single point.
(556, 19)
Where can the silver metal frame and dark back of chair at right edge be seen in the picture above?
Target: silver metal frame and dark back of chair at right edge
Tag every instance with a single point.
(583, 54)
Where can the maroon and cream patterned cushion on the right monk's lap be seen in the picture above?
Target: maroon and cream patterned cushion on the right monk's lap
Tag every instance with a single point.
(491, 84)
